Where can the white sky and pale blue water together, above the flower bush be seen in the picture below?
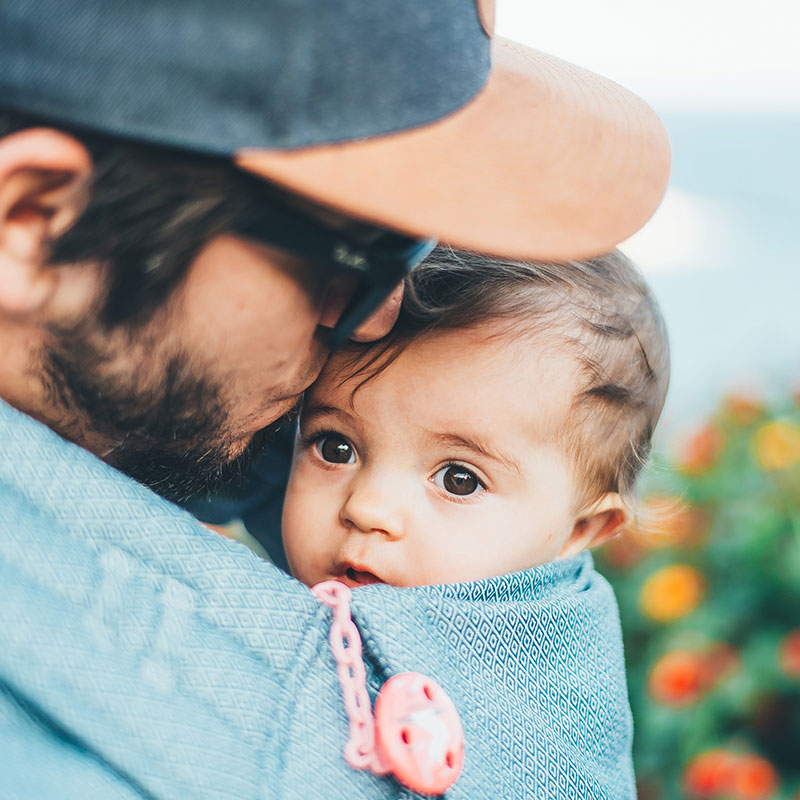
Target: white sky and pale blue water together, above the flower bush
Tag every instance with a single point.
(723, 250)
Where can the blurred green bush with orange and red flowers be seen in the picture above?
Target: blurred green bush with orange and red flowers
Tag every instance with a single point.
(708, 580)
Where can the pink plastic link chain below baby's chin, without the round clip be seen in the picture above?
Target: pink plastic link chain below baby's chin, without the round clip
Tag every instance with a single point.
(360, 751)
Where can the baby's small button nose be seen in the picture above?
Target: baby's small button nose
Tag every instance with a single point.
(376, 504)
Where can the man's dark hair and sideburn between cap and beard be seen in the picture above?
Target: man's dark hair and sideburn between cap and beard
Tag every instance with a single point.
(150, 210)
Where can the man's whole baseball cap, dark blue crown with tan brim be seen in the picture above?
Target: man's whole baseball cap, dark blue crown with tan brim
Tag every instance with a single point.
(407, 115)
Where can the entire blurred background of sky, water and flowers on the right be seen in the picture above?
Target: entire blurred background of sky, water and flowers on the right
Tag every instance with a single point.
(709, 584)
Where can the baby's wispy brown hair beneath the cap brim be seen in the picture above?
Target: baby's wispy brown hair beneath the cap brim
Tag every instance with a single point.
(601, 309)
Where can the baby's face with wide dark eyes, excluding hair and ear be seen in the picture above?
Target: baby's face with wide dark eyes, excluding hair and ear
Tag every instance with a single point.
(442, 468)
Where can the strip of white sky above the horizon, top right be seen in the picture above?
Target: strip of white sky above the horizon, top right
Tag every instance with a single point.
(711, 55)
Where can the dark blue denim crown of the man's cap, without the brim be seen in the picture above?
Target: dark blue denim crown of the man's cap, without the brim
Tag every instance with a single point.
(214, 76)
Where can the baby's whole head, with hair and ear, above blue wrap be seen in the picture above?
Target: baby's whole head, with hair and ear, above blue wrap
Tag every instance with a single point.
(501, 425)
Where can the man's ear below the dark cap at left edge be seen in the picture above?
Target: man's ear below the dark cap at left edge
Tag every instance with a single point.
(43, 177)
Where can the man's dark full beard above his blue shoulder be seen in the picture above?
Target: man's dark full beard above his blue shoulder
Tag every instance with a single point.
(171, 437)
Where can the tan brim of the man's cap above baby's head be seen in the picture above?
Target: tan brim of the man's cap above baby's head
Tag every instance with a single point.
(547, 161)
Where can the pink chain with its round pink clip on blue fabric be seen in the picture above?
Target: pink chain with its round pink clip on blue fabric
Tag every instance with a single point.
(416, 733)
